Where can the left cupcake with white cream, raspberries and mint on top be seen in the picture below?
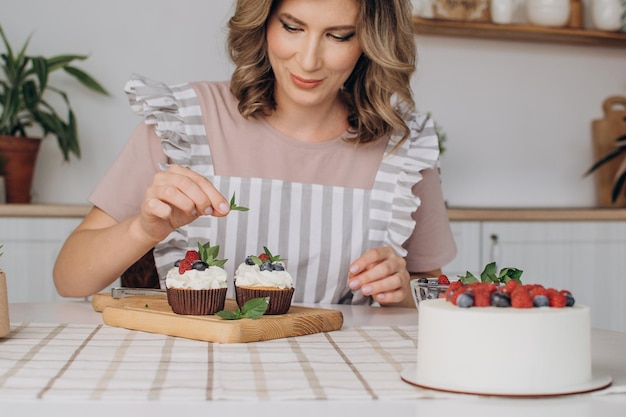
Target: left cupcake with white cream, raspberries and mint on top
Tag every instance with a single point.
(197, 284)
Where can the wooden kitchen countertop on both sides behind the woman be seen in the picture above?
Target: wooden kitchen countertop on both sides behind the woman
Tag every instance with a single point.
(454, 213)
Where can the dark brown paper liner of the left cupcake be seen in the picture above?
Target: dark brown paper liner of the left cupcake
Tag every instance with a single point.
(196, 302)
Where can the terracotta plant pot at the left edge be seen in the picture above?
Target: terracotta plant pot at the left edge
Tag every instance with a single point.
(20, 155)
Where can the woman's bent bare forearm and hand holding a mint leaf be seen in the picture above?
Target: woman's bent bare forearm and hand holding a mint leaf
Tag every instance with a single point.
(100, 248)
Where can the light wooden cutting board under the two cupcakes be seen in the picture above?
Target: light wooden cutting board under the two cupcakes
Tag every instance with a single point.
(153, 314)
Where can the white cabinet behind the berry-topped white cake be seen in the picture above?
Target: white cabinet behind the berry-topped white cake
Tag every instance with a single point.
(586, 257)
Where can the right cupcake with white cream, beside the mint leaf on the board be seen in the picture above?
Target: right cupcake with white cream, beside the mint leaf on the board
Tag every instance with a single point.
(264, 276)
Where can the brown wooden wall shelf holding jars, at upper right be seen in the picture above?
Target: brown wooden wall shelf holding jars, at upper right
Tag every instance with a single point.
(527, 33)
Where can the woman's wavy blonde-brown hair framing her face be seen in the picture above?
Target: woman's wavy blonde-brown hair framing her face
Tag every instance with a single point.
(377, 93)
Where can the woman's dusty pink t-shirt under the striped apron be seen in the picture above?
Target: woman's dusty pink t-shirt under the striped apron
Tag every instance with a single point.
(253, 148)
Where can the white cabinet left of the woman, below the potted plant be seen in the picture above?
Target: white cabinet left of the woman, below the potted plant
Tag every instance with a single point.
(30, 249)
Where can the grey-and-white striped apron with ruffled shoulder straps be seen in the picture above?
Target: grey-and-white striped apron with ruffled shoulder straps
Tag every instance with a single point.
(319, 230)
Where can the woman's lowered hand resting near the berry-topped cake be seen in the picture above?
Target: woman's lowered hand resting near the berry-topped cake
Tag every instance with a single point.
(381, 273)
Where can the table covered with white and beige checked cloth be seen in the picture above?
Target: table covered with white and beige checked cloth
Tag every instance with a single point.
(388, 332)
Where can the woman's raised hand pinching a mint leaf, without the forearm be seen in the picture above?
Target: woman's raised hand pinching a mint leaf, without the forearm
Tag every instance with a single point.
(175, 198)
